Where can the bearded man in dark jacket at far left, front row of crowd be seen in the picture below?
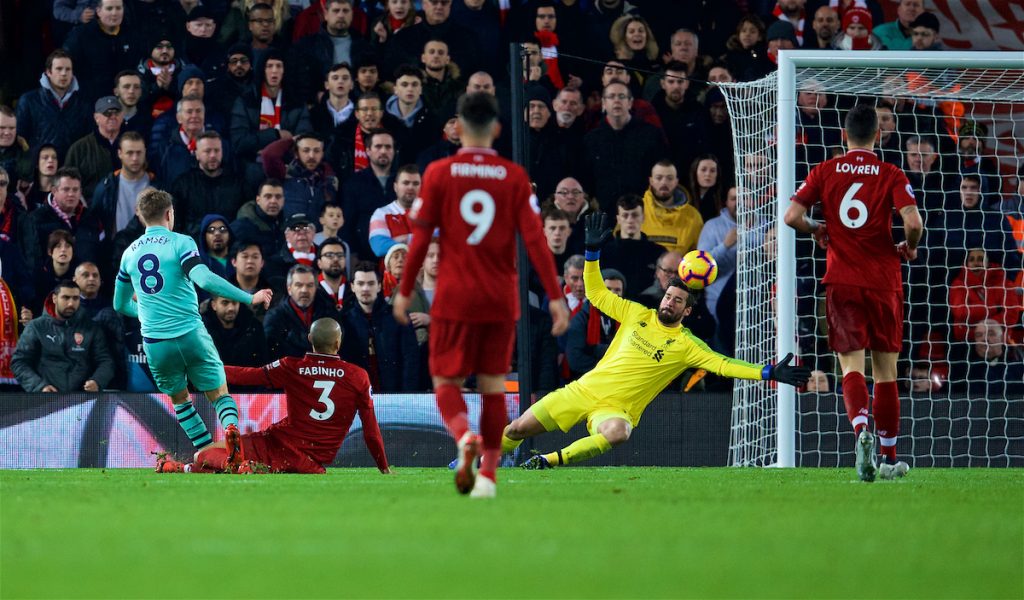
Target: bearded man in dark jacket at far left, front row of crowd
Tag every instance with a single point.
(63, 351)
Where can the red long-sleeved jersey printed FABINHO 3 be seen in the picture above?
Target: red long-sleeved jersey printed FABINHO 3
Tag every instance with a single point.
(324, 394)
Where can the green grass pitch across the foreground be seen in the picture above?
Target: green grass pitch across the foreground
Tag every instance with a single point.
(581, 533)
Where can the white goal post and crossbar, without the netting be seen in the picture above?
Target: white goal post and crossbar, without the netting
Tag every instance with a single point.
(786, 260)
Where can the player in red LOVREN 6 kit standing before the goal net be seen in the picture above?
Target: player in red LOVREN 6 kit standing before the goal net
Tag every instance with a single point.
(864, 281)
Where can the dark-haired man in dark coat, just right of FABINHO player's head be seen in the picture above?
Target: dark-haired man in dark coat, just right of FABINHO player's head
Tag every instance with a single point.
(375, 341)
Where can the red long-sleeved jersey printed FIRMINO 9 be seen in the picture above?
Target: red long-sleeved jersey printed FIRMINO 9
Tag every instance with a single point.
(479, 201)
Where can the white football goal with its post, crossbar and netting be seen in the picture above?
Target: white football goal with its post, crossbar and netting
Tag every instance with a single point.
(770, 427)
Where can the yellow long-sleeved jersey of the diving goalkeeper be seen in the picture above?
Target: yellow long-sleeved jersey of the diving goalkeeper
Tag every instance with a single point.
(646, 356)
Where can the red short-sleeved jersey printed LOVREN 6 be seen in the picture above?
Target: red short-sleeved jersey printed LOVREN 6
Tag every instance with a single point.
(859, 193)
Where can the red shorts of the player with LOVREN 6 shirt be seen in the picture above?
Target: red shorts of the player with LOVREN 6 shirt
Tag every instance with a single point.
(862, 319)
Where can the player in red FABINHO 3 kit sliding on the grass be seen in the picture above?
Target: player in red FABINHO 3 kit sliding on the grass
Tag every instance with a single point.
(324, 395)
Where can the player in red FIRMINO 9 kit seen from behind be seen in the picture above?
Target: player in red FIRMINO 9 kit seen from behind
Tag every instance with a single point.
(479, 201)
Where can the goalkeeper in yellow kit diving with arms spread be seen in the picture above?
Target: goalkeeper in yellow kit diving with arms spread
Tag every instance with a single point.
(651, 350)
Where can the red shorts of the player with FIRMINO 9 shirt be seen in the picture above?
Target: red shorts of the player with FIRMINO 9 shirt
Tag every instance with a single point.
(459, 349)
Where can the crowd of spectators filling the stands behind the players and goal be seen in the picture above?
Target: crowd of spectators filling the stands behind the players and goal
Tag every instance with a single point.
(293, 138)
